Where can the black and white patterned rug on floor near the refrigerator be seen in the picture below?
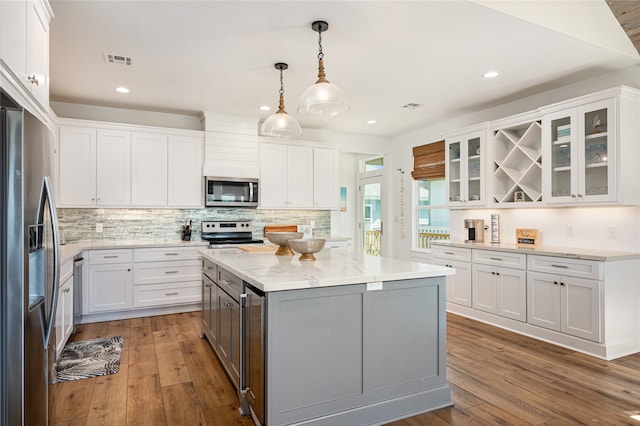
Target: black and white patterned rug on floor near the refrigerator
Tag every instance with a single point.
(89, 358)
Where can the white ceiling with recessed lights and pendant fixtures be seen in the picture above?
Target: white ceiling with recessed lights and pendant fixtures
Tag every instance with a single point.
(192, 56)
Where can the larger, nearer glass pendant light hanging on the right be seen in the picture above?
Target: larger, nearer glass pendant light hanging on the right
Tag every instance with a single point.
(323, 98)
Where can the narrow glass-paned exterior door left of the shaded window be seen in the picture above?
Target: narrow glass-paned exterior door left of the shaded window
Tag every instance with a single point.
(372, 213)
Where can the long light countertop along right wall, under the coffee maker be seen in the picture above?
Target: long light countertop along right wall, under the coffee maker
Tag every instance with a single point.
(568, 252)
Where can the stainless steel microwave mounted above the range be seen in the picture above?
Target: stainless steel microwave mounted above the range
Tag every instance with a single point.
(231, 192)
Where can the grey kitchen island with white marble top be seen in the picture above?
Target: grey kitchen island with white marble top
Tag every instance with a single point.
(346, 339)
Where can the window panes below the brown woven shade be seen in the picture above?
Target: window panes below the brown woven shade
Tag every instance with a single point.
(432, 216)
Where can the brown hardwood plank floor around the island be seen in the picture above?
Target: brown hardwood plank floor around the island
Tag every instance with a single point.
(169, 376)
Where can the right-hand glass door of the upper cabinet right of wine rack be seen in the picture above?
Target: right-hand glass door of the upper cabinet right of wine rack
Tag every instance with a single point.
(597, 150)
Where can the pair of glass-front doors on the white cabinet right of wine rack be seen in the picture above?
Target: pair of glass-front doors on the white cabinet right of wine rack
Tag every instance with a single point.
(581, 145)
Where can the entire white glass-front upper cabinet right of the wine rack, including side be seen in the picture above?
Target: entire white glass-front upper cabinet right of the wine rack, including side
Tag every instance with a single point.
(590, 146)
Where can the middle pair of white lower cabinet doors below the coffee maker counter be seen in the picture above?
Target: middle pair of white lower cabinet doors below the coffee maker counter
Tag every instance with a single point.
(500, 291)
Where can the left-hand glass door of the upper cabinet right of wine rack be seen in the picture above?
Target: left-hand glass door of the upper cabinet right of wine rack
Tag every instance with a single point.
(562, 156)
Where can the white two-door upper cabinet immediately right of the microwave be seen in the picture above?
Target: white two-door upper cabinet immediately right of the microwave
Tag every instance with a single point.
(298, 177)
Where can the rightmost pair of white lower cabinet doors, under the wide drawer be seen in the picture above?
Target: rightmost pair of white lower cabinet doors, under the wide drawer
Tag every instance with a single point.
(567, 304)
